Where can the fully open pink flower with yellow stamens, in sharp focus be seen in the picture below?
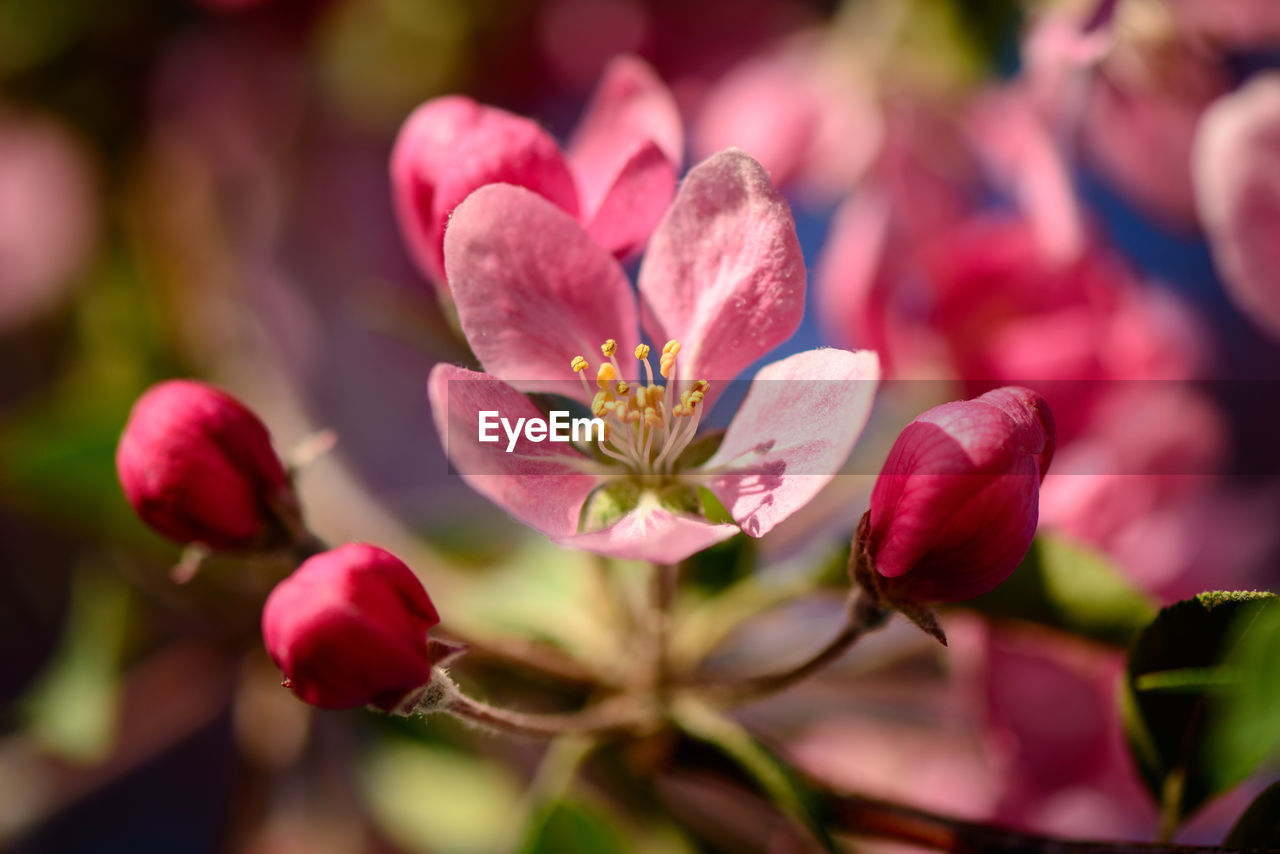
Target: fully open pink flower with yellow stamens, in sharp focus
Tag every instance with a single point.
(723, 284)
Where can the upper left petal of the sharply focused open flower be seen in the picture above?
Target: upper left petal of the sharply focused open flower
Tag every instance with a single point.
(534, 290)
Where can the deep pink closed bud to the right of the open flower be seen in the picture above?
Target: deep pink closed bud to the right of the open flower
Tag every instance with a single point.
(956, 506)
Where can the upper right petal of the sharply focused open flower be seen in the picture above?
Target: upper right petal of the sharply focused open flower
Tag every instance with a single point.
(724, 272)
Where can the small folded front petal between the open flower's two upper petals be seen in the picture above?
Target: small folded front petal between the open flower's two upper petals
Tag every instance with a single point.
(636, 203)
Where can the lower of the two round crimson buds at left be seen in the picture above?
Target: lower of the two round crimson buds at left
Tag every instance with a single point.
(349, 629)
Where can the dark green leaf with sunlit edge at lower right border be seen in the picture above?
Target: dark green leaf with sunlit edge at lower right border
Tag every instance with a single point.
(1186, 673)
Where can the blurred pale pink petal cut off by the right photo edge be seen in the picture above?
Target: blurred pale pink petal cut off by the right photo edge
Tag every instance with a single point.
(1237, 167)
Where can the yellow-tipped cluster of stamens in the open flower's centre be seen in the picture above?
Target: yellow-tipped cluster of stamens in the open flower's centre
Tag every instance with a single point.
(647, 426)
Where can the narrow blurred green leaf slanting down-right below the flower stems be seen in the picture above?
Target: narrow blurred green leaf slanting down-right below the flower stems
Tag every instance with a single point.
(775, 779)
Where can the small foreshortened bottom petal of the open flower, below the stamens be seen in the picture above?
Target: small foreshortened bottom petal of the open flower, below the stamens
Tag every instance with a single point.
(651, 533)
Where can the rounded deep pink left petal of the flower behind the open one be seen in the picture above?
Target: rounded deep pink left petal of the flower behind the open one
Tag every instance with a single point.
(450, 148)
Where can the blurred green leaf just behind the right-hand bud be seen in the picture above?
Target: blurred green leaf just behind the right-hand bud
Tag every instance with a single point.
(1069, 587)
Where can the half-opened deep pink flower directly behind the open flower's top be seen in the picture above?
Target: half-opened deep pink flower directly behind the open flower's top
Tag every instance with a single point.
(618, 179)
